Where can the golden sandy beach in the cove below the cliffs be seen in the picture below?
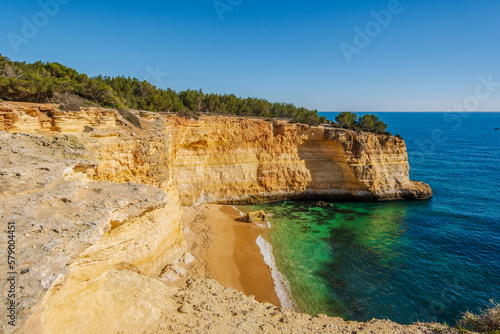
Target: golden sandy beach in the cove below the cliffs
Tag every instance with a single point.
(225, 250)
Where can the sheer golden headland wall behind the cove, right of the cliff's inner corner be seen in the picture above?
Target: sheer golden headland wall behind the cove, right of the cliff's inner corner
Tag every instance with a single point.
(231, 160)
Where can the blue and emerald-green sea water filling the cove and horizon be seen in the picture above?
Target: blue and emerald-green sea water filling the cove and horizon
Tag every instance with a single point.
(404, 261)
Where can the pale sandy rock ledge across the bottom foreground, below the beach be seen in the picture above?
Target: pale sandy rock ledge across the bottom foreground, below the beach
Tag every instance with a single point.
(145, 305)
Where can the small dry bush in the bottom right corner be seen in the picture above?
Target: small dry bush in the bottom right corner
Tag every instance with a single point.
(488, 321)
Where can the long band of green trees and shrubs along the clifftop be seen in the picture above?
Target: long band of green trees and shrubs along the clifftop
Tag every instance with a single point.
(52, 82)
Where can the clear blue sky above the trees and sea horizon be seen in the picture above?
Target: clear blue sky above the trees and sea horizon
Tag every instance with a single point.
(427, 57)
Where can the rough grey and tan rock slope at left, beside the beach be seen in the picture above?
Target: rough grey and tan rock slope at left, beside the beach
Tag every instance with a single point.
(73, 224)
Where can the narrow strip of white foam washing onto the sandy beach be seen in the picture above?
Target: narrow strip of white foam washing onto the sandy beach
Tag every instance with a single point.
(280, 283)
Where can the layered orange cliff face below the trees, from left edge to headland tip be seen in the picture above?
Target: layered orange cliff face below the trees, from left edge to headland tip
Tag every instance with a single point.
(230, 159)
